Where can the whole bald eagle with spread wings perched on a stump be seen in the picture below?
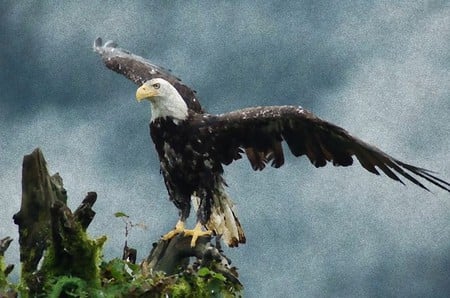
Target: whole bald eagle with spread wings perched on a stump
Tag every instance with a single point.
(193, 146)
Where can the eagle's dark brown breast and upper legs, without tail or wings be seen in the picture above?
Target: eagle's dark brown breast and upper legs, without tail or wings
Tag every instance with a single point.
(187, 164)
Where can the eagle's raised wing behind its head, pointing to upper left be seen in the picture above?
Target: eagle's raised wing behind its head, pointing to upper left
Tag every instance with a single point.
(140, 70)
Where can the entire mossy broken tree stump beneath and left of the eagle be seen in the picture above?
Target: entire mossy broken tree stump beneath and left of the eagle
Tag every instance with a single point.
(59, 259)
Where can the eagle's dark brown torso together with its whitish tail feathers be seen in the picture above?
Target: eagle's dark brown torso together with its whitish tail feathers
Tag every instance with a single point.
(190, 164)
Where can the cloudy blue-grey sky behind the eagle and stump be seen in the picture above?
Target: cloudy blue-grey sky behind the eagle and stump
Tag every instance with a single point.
(380, 70)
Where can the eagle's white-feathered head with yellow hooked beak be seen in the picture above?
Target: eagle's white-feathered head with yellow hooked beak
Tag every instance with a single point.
(164, 98)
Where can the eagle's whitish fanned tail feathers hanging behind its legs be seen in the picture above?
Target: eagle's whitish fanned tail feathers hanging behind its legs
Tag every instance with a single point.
(223, 220)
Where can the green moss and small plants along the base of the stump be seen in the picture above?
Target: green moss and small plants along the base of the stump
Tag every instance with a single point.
(118, 278)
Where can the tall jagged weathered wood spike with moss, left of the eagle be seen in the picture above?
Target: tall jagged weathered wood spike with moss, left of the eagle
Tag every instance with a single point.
(47, 226)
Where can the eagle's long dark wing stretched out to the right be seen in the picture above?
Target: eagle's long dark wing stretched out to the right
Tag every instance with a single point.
(261, 130)
